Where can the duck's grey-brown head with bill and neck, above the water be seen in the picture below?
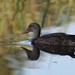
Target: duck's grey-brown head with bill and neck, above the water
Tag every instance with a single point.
(35, 28)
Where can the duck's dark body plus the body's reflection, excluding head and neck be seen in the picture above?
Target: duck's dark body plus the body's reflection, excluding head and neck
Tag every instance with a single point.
(56, 43)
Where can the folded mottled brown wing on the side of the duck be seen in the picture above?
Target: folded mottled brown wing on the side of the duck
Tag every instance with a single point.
(50, 39)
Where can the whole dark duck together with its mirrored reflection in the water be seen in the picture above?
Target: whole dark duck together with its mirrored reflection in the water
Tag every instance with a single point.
(54, 43)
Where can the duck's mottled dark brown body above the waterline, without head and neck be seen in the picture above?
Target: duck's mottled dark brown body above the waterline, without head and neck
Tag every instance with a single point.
(56, 39)
